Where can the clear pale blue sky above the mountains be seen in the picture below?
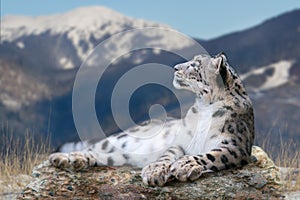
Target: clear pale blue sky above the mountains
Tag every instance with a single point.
(198, 18)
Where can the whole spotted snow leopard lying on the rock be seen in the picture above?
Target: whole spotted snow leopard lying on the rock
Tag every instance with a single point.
(216, 134)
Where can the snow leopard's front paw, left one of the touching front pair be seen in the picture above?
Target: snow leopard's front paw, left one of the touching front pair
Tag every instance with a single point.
(156, 173)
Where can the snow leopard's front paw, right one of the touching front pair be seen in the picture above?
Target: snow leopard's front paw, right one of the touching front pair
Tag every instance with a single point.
(186, 168)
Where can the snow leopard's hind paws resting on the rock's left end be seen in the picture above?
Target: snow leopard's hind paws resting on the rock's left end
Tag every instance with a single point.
(74, 161)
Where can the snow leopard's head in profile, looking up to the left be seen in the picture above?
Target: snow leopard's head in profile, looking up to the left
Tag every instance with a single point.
(205, 75)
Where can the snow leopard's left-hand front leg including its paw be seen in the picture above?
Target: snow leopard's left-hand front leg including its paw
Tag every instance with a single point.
(158, 172)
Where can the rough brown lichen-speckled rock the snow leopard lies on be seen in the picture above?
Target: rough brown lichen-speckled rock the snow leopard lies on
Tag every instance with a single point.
(258, 180)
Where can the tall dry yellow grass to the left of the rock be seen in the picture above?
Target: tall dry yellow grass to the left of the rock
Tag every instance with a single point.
(18, 156)
